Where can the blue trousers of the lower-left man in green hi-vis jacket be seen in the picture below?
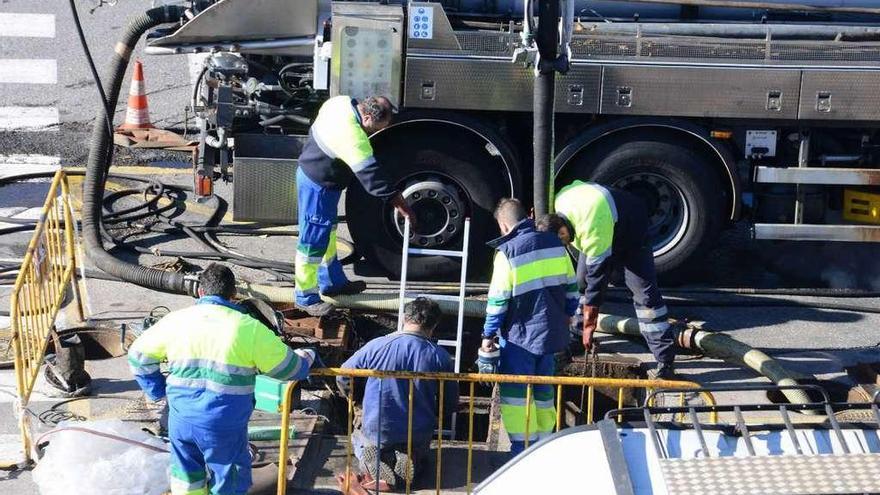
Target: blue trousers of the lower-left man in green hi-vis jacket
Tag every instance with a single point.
(204, 459)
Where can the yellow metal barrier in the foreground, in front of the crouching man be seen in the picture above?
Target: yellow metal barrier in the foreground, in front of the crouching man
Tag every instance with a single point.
(472, 379)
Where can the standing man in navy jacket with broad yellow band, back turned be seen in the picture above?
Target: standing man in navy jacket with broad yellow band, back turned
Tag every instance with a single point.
(532, 297)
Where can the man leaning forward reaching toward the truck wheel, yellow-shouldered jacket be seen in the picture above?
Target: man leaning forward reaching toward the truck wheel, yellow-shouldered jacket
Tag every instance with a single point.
(338, 148)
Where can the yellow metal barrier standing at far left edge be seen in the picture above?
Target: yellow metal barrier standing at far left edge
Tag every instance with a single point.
(48, 267)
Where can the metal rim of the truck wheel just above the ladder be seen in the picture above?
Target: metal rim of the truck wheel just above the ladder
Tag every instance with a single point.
(440, 206)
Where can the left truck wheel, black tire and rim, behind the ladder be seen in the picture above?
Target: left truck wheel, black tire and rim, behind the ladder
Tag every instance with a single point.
(445, 177)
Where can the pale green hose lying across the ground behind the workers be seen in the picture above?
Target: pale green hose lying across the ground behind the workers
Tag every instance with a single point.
(713, 344)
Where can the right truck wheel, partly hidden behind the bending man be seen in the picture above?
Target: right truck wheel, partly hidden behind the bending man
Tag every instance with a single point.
(683, 195)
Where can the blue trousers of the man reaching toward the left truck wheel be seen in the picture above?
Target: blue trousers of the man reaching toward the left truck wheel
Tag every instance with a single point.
(317, 267)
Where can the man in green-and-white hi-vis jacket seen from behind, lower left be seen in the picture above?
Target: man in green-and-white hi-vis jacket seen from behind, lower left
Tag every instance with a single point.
(214, 351)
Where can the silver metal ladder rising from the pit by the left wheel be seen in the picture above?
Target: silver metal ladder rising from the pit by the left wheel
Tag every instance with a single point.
(406, 251)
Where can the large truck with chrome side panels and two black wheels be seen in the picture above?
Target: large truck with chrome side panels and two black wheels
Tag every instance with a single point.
(711, 114)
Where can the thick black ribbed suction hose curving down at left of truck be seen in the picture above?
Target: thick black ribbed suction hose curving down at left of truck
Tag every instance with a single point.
(100, 154)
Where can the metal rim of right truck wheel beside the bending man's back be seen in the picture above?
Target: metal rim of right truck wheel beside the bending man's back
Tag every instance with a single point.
(668, 209)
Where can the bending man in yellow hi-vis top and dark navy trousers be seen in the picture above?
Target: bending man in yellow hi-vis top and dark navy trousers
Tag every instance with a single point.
(609, 227)
